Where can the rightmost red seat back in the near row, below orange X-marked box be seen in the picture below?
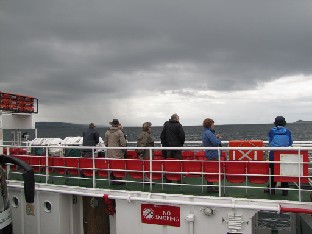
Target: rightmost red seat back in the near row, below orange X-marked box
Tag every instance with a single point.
(258, 172)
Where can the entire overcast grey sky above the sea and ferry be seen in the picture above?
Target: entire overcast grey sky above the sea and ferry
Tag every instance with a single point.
(238, 62)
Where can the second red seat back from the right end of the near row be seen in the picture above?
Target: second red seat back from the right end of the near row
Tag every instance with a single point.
(235, 171)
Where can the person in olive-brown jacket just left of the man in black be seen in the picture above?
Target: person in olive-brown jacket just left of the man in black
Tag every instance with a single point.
(145, 139)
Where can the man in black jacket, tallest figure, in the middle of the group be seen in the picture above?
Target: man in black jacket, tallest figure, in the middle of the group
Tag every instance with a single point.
(172, 135)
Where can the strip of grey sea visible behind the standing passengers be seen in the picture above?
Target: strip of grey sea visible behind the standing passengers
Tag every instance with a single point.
(300, 131)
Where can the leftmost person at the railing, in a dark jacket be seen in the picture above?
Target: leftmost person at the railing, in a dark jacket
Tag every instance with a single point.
(90, 138)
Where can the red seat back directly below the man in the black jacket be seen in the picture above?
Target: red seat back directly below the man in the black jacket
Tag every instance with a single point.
(172, 169)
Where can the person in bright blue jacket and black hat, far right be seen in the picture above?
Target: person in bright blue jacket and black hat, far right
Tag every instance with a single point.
(279, 136)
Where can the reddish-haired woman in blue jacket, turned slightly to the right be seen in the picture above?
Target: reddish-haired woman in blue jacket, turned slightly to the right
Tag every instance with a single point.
(210, 139)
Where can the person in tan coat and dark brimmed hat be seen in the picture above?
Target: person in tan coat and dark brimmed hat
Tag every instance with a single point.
(114, 137)
